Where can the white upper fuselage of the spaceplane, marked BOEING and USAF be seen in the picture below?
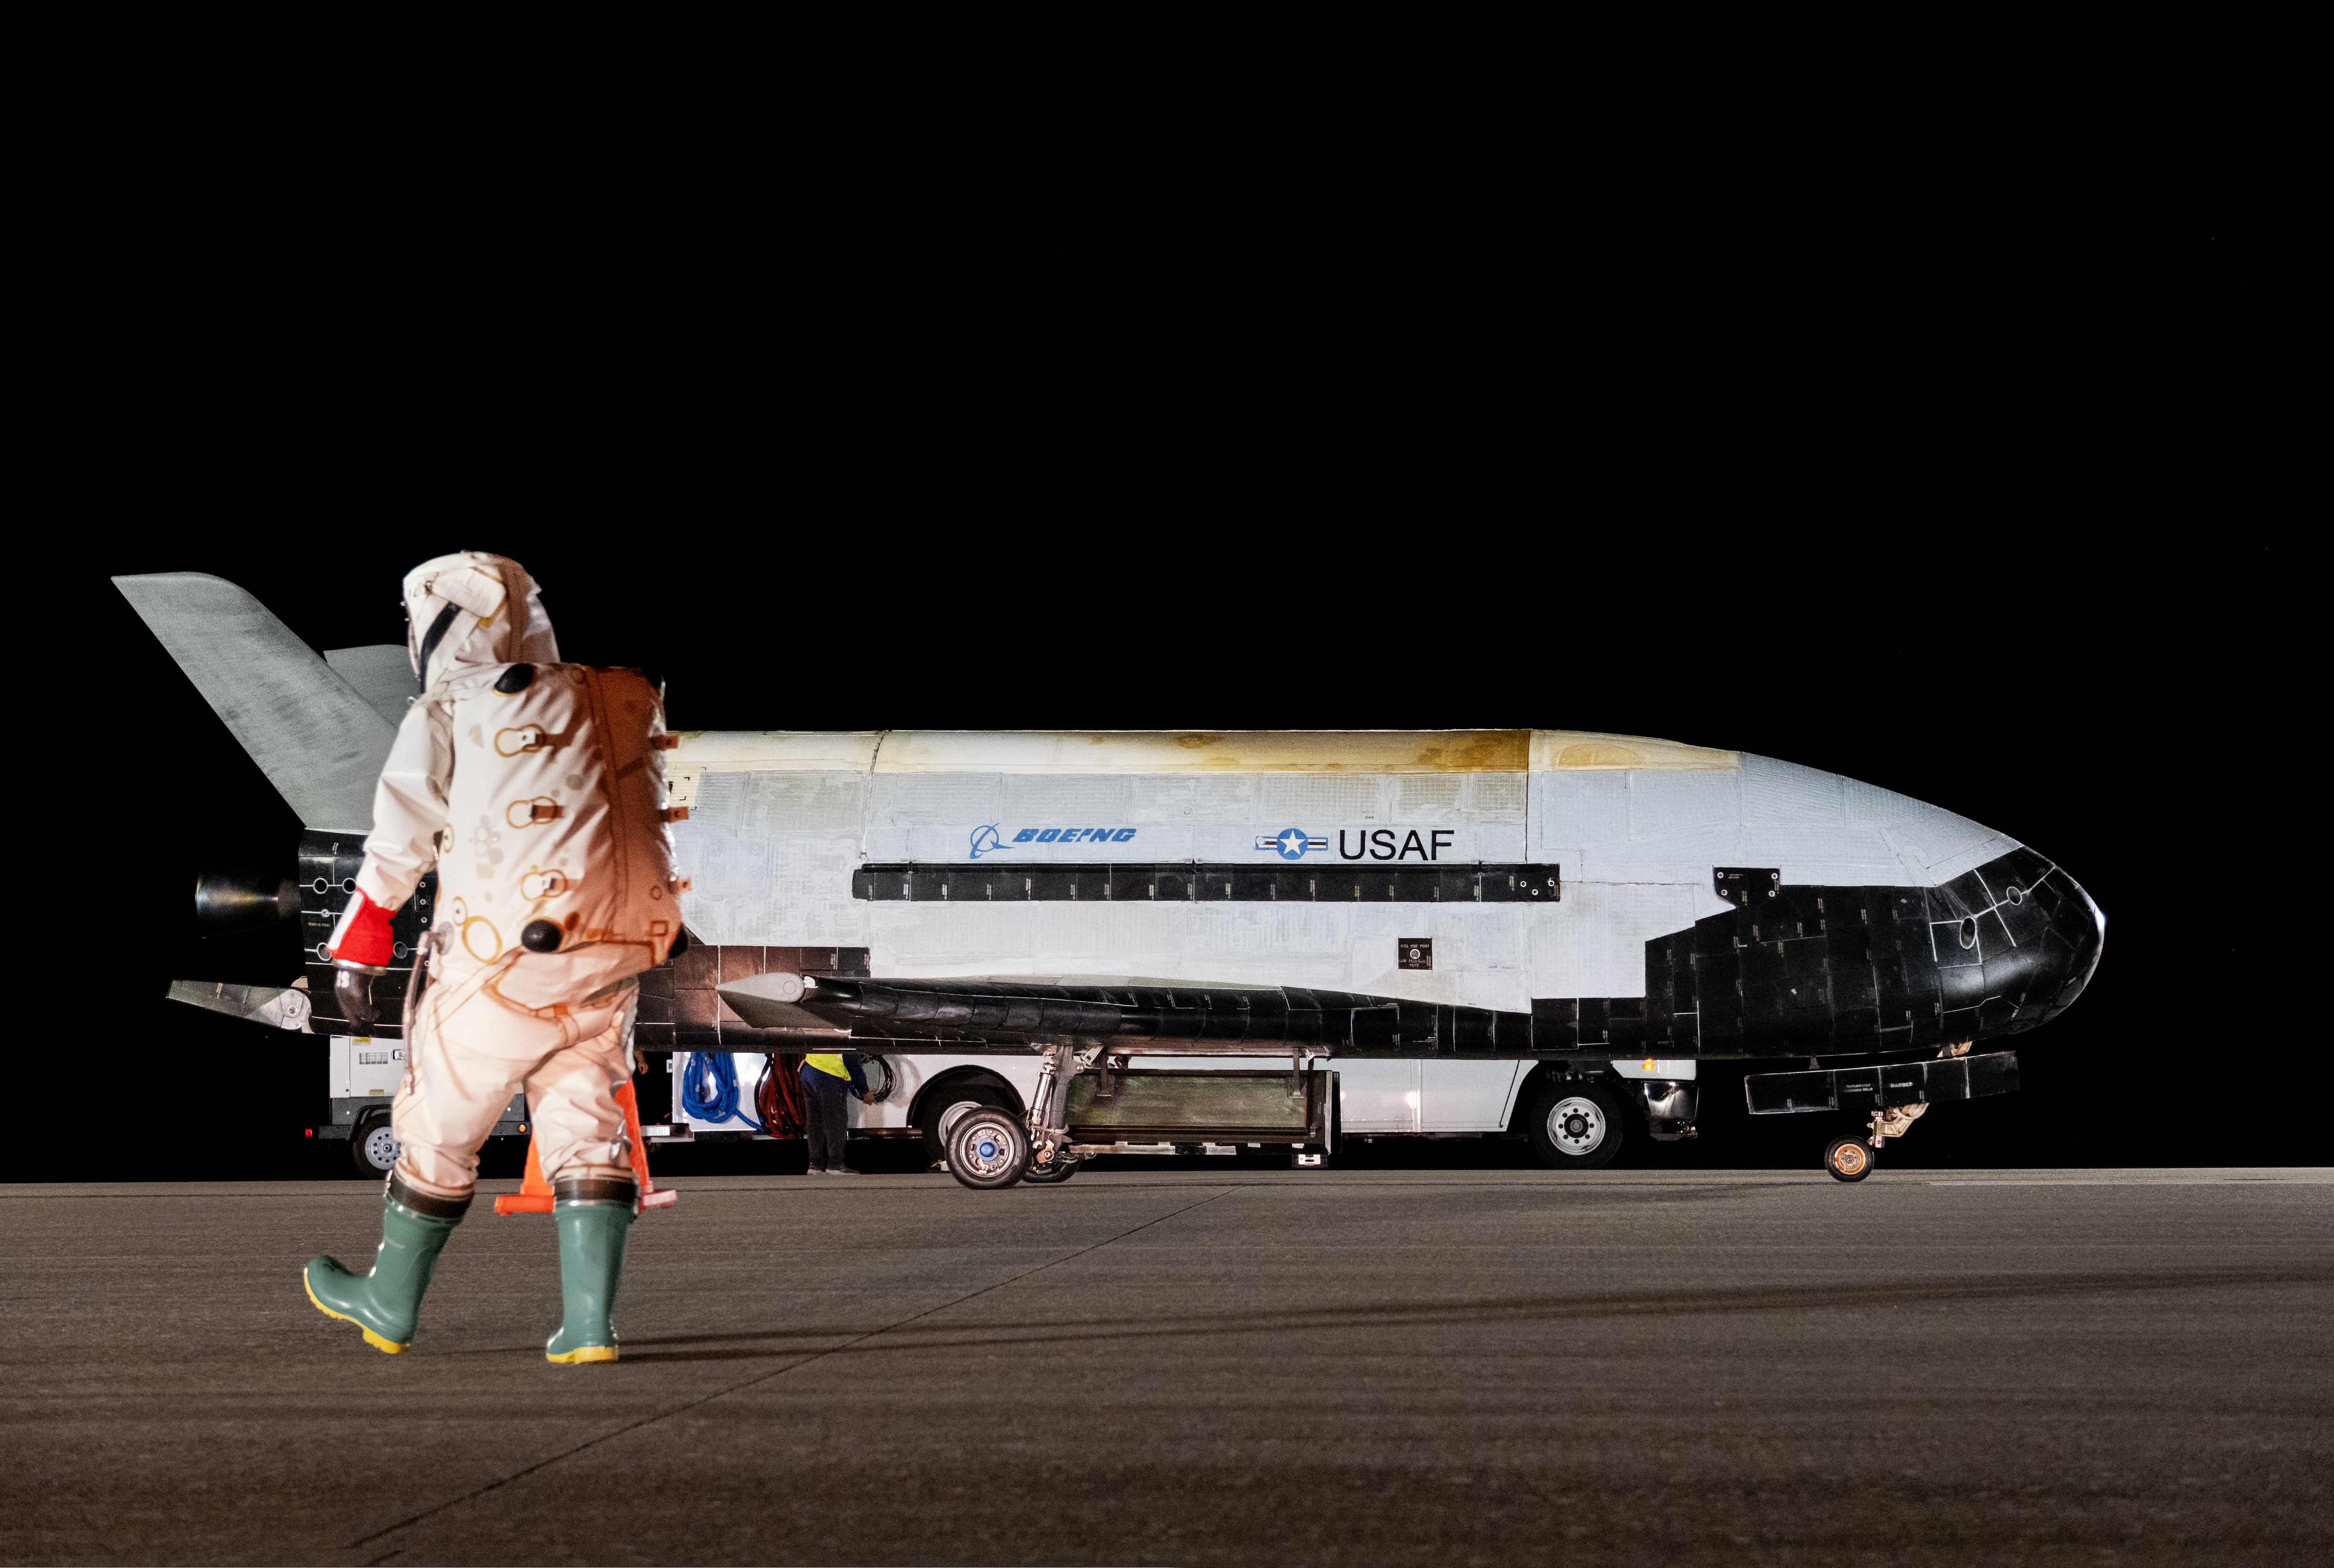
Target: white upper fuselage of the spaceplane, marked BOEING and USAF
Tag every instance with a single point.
(783, 820)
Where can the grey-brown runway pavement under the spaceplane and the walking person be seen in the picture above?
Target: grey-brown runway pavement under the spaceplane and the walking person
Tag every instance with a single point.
(1203, 1366)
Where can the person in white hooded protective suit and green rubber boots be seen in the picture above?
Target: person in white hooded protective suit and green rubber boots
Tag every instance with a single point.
(536, 790)
